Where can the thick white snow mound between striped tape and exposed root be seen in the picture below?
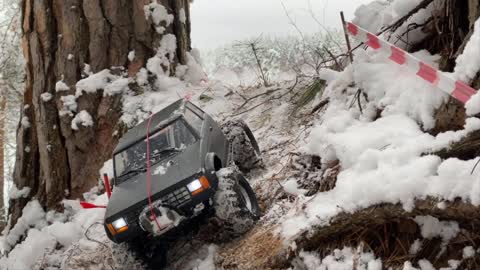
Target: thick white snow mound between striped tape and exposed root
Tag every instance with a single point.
(384, 161)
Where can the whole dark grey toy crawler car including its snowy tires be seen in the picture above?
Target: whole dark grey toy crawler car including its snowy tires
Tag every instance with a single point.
(196, 168)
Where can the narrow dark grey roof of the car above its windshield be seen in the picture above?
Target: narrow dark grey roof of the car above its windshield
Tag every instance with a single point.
(137, 133)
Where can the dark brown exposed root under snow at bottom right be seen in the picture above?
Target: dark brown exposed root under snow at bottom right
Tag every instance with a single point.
(389, 231)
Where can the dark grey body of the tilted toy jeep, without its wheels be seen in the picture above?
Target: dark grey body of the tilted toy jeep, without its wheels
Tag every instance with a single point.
(187, 147)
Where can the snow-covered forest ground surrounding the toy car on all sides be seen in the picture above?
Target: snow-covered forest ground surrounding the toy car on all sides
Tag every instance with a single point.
(383, 158)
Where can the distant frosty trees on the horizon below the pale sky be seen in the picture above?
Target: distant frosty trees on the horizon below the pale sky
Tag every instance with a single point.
(304, 55)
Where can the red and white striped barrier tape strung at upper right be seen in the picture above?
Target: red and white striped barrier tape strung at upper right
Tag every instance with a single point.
(457, 89)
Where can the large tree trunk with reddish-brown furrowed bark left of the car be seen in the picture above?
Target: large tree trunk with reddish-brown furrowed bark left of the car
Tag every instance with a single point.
(59, 38)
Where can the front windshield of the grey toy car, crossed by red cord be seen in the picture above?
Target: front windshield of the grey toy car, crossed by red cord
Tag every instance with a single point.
(163, 144)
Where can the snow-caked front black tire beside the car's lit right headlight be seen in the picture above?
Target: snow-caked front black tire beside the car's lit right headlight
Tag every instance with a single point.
(236, 206)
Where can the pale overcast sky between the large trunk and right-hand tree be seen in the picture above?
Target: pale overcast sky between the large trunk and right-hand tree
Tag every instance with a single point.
(216, 22)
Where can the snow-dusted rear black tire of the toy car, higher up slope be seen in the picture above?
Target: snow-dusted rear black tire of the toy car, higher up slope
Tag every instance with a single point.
(243, 146)
